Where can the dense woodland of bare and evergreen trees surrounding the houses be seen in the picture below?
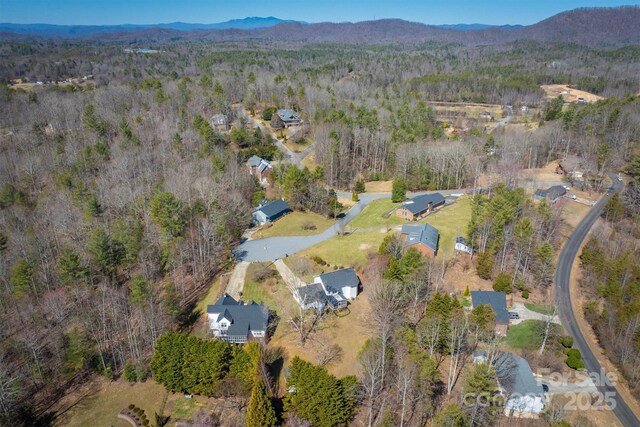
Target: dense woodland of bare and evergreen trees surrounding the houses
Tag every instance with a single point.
(119, 204)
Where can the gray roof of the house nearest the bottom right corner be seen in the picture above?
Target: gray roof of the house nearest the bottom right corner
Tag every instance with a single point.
(515, 375)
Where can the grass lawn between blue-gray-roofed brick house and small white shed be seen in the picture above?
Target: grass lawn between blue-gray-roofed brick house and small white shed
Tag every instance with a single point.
(451, 221)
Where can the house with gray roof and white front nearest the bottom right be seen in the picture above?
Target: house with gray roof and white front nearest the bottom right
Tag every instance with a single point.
(524, 395)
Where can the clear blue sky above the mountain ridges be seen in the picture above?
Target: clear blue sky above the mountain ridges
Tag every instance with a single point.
(210, 11)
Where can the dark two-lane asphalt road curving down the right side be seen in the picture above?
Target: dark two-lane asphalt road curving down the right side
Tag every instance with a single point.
(565, 311)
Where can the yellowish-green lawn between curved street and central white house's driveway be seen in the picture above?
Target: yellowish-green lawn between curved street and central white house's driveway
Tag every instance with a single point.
(347, 251)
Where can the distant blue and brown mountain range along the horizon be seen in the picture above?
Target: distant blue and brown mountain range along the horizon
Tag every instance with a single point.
(588, 26)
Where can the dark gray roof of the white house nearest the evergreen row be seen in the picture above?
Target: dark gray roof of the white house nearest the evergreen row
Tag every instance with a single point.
(244, 318)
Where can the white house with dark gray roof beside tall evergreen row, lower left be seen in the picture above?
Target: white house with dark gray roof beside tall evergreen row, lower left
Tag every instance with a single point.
(235, 322)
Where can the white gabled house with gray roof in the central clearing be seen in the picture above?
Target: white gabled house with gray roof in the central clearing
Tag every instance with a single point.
(331, 290)
